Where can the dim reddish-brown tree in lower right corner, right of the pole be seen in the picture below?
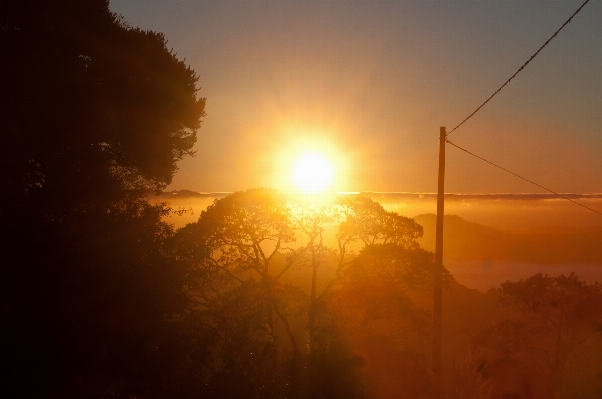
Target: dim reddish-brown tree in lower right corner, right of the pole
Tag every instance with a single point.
(554, 318)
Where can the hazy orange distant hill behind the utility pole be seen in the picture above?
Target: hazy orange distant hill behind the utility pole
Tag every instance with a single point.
(465, 240)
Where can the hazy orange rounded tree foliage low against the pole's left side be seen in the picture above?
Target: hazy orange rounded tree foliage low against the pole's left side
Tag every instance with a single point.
(375, 289)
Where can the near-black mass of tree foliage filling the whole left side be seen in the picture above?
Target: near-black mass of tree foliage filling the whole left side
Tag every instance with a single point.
(93, 114)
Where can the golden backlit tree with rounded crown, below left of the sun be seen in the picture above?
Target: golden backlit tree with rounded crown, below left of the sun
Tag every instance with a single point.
(245, 234)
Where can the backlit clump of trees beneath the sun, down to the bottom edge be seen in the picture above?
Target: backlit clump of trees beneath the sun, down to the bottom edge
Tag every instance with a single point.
(264, 287)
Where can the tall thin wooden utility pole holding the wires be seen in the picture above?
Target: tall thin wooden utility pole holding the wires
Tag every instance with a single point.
(438, 273)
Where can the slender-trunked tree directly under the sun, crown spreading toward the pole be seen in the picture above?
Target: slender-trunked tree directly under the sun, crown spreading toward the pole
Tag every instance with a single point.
(359, 221)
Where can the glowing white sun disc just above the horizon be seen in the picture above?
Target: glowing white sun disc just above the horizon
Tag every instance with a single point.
(312, 172)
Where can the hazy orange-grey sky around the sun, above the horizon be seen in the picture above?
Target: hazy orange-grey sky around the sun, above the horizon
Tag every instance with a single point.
(371, 82)
